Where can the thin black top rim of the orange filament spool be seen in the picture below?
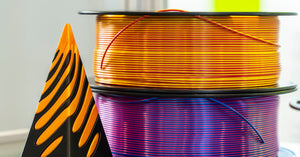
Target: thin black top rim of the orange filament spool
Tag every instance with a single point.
(92, 12)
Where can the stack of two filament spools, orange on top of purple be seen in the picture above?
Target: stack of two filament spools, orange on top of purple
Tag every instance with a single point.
(188, 83)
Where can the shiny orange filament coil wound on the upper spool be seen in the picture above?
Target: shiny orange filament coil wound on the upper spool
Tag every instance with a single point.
(189, 52)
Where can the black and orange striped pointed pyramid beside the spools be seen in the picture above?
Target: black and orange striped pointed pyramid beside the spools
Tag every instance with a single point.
(66, 122)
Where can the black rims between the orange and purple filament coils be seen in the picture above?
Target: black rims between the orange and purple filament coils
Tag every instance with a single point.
(280, 88)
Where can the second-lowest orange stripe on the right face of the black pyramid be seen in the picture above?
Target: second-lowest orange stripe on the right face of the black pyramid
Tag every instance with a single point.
(89, 126)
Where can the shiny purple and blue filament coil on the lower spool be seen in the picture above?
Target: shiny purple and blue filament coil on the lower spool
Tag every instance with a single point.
(236, 126)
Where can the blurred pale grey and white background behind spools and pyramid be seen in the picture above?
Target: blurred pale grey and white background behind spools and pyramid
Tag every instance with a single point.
(30, 31)
